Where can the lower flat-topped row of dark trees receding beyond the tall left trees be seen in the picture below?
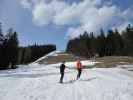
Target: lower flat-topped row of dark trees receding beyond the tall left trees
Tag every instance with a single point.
(33, 52)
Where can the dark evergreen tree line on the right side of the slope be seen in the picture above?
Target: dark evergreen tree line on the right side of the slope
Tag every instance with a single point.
(110, 43)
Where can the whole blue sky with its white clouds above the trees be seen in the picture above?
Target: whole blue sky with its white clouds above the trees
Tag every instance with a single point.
(56, 21)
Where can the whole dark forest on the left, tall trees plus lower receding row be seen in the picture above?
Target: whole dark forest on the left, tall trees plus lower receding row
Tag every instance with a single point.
(12, 54)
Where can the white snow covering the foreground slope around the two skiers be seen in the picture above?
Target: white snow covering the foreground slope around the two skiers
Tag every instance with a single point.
(40, 82)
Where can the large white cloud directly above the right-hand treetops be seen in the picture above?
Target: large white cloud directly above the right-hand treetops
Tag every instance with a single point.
(96, 18)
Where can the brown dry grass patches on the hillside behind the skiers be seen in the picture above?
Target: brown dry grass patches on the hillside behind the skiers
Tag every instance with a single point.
(105, 62)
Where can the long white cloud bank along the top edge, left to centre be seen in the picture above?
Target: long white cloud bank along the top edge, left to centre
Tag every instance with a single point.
(61, 12)
